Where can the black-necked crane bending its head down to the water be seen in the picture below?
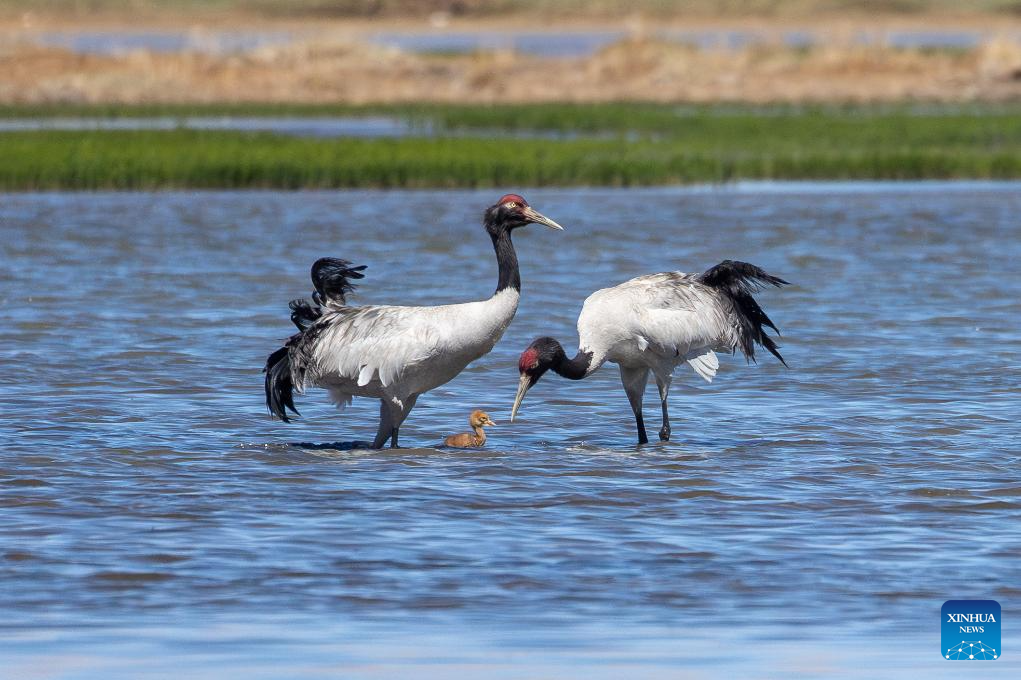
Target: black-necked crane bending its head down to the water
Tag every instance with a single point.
(656, 323)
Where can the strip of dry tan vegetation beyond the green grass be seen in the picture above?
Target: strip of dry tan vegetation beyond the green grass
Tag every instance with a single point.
(638, 70)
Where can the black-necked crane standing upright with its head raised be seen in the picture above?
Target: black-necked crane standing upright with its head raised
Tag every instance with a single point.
(394, 354)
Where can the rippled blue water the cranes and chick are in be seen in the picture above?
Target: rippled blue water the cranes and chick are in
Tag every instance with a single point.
(804, 522)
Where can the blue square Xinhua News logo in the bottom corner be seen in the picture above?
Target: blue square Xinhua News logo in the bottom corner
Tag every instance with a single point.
(970, 630)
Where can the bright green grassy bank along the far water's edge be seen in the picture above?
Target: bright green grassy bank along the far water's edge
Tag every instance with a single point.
(612, 144)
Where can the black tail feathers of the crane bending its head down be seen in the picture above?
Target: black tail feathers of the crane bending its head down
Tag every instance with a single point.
(740, 281)
